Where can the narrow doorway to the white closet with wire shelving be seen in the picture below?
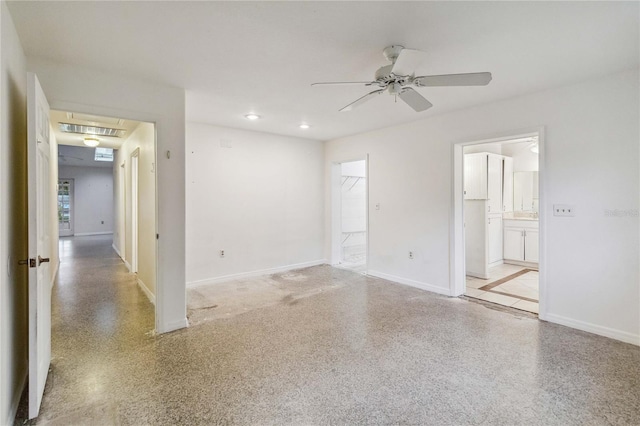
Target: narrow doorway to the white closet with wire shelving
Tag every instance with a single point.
(350, 216)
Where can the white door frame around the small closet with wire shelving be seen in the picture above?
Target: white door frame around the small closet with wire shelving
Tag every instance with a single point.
(336, 209)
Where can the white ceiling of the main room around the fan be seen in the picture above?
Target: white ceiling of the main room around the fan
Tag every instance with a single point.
(239, 57)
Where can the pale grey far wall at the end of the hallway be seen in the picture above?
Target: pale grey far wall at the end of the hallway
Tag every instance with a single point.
(92, 197)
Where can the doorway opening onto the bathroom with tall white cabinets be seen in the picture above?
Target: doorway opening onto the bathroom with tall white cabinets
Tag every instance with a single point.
(501, 221)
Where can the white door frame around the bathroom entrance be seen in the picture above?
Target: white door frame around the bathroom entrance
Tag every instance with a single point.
(457, 283)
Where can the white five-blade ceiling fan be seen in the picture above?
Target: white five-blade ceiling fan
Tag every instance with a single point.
(398, 79)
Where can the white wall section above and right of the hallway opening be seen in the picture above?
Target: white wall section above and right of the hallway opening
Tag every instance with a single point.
(71, 88)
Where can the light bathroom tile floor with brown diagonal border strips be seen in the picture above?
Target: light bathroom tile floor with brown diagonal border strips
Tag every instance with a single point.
(508, 285)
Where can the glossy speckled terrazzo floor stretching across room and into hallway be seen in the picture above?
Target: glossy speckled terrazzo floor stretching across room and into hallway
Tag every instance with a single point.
(366, 352)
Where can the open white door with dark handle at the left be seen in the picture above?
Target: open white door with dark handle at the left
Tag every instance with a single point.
(38, 163)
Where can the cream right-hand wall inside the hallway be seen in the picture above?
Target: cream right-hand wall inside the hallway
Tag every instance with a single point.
(142, 139)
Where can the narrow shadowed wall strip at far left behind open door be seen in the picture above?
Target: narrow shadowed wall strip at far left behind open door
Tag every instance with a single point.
(13, 231)
